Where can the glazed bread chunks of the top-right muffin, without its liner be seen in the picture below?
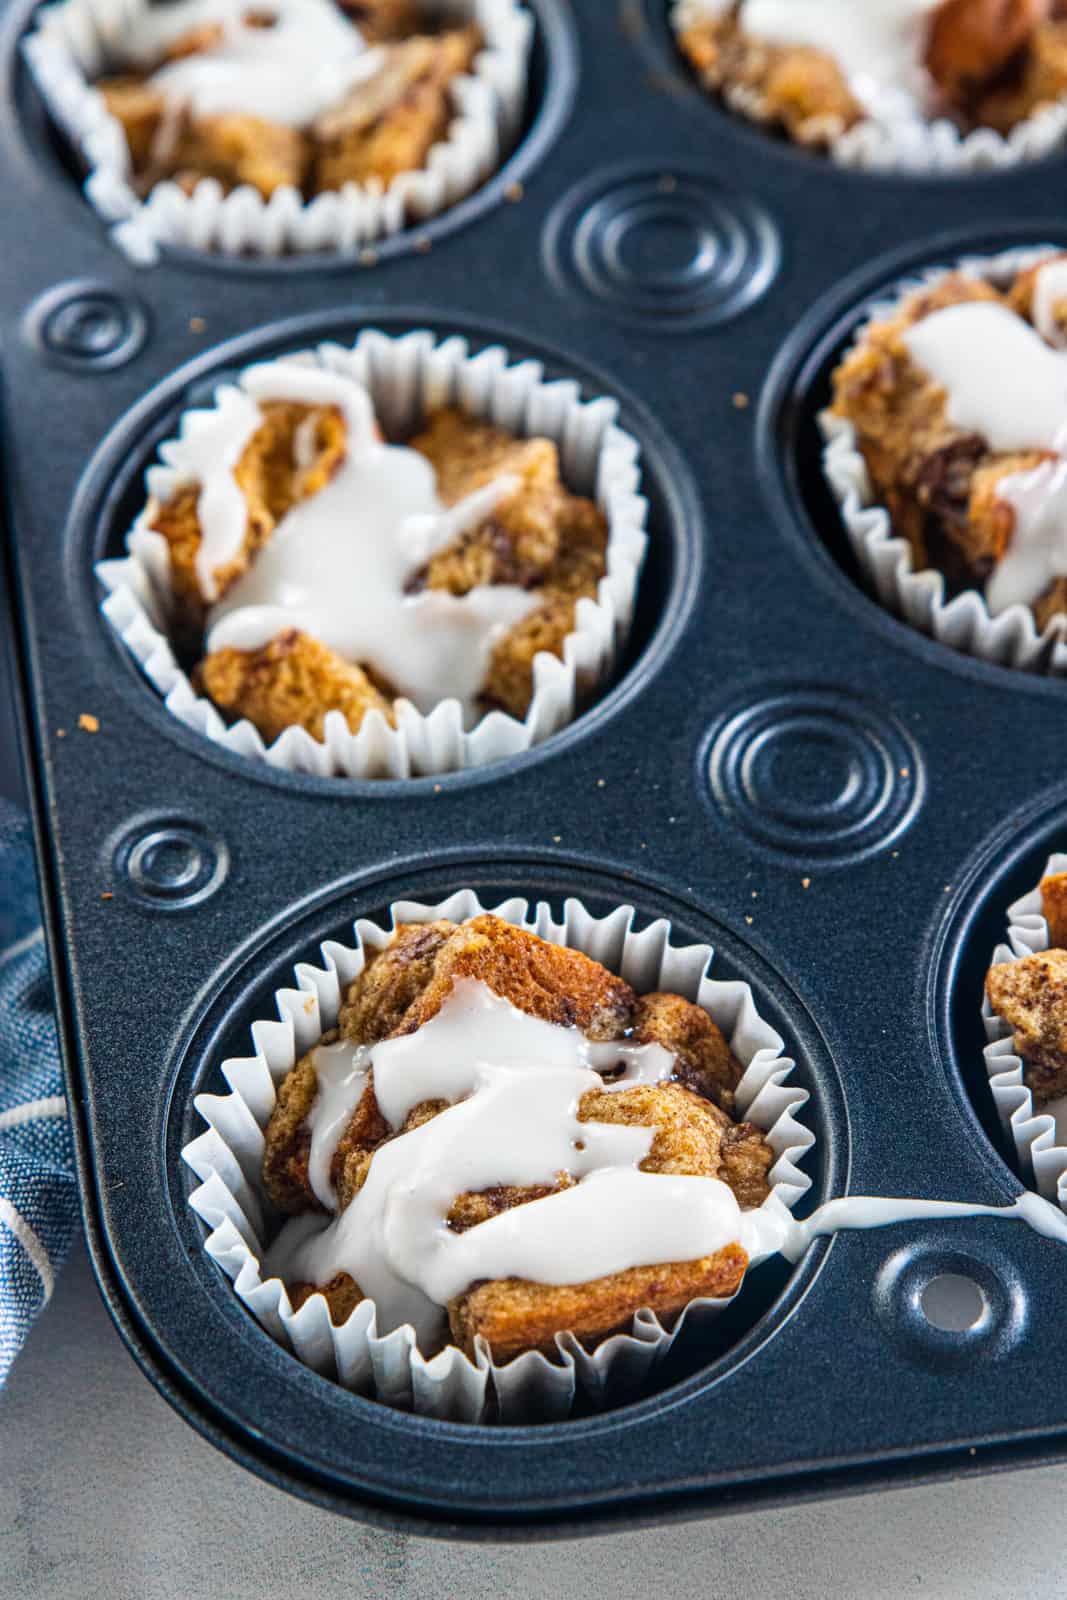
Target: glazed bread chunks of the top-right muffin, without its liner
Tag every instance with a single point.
(820, 70)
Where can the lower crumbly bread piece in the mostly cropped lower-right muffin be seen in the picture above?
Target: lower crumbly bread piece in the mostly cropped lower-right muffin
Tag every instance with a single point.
(1031, 996)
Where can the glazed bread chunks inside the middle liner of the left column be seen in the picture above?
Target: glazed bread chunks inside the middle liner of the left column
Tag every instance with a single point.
(316, 567)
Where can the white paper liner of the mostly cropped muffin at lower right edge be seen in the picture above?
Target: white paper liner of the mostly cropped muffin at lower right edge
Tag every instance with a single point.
(1041, 1137)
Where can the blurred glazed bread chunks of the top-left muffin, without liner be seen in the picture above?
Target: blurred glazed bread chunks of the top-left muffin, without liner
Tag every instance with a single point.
(294, 94)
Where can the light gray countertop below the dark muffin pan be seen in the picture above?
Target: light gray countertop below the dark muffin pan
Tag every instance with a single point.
(105, 1492)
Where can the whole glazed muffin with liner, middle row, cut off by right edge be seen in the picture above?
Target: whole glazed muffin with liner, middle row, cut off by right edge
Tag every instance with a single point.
(946, 442)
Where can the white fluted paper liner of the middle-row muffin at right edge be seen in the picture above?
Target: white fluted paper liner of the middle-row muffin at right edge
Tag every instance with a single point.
(919, 596)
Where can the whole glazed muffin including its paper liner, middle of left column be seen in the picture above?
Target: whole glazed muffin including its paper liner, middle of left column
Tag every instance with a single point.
(337, 596)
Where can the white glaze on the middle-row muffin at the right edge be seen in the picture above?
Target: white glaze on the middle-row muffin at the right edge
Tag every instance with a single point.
(1004, 383)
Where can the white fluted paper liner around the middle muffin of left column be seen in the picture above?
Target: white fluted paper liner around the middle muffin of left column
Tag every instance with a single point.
(409, 377)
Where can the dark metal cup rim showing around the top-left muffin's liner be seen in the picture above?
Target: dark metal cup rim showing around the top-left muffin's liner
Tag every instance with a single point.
(553, 84)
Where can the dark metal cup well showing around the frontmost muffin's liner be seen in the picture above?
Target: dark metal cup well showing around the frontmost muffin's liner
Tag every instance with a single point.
(246, 994)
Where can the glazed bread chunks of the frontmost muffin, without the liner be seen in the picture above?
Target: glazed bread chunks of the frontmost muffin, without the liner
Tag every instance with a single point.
(538, 1137)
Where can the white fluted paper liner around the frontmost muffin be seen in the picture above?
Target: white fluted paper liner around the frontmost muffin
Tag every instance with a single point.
(228, 1162)
